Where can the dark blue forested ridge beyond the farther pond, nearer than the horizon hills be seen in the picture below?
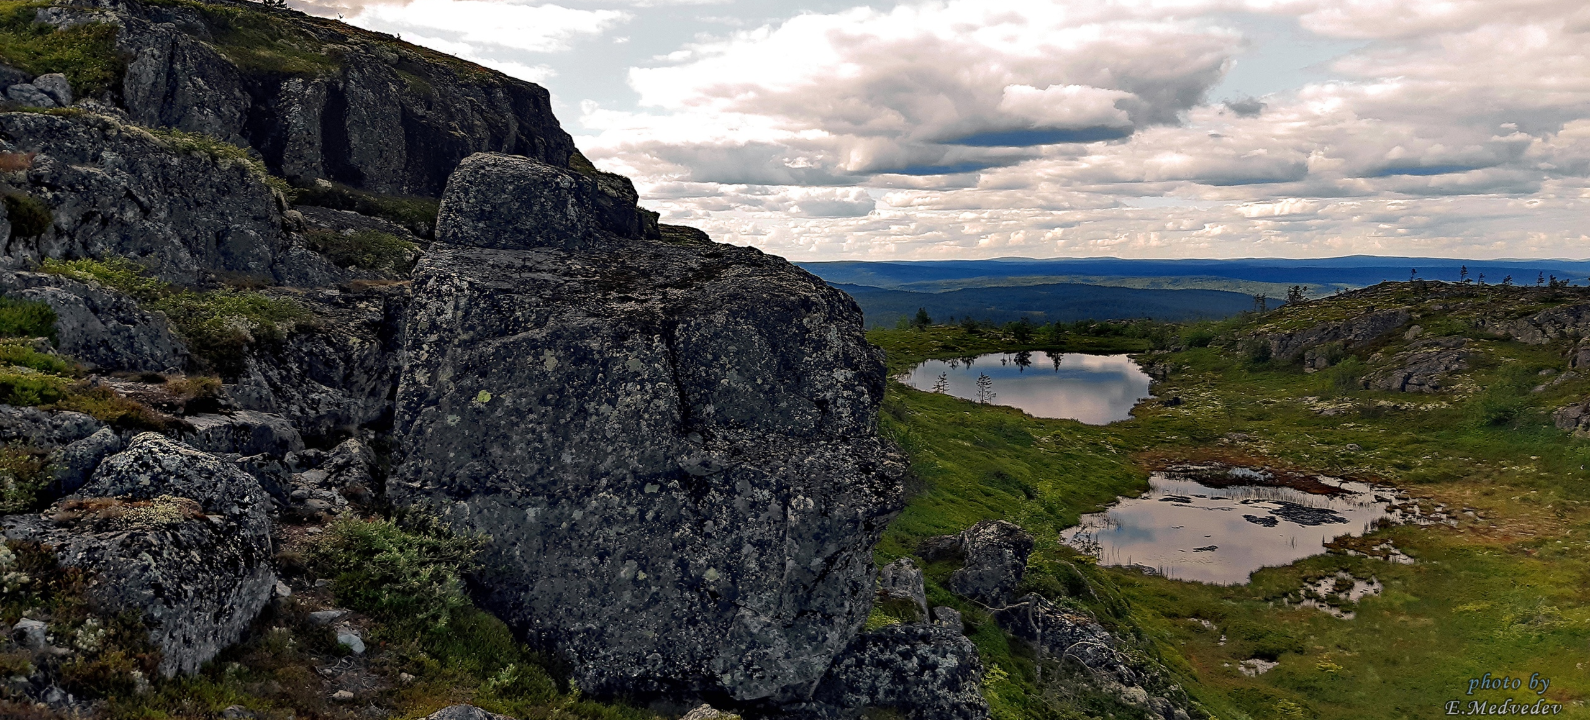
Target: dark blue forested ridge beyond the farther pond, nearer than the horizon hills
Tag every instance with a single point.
(1049, 303)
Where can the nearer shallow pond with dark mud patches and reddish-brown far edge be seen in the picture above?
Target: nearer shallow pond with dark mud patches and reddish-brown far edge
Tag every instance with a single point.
(1192, 532)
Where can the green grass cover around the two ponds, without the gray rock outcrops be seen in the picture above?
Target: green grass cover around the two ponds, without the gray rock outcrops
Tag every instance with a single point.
(1503, 595)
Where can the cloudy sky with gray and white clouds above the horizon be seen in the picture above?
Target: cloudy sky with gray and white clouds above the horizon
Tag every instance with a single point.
(1134, 130)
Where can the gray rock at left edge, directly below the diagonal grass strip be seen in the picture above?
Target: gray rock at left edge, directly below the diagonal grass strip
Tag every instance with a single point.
(99, 327)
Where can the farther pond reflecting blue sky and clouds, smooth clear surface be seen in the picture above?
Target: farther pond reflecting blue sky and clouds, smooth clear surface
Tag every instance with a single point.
(1092, 389)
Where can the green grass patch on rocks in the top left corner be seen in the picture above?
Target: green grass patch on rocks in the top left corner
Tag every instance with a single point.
(87, 55)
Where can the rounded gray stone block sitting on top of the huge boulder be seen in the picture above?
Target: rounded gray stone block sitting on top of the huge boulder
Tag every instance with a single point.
(508, 203)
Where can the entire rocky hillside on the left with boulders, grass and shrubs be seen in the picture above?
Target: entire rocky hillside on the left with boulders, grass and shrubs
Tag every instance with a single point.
(336, 384)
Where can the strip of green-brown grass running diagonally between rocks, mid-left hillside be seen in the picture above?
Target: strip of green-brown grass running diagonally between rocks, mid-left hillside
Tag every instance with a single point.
(219, 325)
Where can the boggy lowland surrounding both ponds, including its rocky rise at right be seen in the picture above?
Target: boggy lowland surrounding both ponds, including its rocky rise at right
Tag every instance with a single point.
(1467, 398)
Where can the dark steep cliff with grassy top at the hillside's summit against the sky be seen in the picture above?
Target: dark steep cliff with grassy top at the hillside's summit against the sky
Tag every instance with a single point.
(338, 103)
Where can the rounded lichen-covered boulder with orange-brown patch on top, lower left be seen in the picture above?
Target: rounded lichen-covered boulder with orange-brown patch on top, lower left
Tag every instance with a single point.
(171, 533)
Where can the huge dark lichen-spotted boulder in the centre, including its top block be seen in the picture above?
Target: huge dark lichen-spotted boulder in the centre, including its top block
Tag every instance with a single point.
(673, 449)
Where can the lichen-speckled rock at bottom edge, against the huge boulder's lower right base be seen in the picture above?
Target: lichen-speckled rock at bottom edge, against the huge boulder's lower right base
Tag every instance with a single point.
(921, 672)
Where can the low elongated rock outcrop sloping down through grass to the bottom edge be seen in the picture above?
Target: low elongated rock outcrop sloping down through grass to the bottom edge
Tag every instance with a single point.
(1072, 638)
